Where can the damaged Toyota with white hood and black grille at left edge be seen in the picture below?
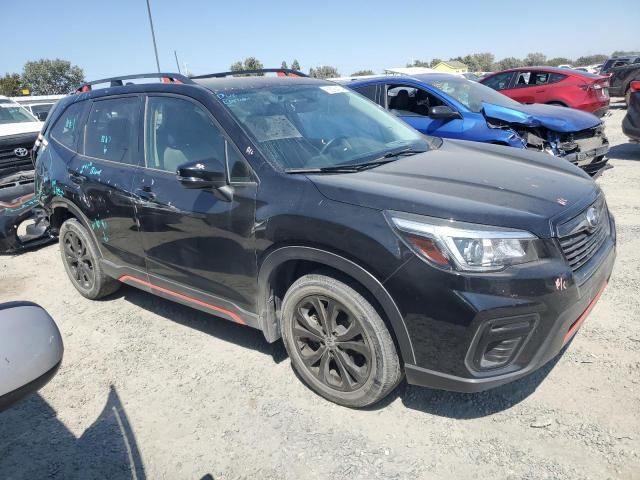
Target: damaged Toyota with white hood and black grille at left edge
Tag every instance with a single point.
(22, 223)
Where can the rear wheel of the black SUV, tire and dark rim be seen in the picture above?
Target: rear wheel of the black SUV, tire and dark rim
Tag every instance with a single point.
(80, 259)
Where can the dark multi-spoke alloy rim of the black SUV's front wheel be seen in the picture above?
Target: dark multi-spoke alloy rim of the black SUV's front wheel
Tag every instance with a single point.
(331, 343)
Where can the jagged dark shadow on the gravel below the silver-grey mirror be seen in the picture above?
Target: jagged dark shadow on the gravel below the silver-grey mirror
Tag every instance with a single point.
(34, 444)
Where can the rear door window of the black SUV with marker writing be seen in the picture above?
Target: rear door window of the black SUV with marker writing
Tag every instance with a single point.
(112, 130)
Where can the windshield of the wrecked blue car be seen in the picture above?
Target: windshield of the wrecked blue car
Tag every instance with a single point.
(471, 94)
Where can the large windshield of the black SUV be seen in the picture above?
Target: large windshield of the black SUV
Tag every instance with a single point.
(318, 126)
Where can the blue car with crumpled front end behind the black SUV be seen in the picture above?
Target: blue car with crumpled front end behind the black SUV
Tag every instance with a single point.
(451, 106)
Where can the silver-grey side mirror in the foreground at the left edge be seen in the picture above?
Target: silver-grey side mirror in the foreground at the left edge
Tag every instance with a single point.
(31, 350)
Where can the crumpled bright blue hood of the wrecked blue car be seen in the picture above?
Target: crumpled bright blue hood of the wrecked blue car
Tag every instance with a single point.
(553, 117)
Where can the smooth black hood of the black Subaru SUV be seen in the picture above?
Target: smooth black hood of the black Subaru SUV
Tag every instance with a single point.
(472, 182)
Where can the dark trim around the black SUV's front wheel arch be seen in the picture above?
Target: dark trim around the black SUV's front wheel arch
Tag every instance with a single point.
(282, 263)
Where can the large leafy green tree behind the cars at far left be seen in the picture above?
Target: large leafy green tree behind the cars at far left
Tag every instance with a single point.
(51, 77)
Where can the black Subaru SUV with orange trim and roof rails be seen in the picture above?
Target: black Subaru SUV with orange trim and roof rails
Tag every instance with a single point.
(300, 208)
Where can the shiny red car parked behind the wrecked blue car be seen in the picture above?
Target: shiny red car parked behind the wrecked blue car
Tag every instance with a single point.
(555, 86)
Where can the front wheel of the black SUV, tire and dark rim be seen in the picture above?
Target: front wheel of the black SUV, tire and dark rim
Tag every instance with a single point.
(356, 363)
